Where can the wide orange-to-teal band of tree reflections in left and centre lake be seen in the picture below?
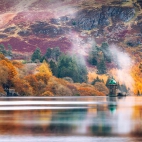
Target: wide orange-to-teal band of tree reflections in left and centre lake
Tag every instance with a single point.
(40, 121)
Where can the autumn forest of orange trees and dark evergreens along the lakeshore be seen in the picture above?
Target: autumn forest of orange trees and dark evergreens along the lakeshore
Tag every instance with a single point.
(59, 74)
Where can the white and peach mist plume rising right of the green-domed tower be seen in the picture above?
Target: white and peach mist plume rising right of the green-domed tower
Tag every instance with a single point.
(124, 63)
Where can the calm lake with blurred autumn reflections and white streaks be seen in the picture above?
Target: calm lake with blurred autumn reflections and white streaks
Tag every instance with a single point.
(71, 119)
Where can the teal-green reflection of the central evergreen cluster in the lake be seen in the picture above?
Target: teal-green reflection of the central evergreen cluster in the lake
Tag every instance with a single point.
(63, 121)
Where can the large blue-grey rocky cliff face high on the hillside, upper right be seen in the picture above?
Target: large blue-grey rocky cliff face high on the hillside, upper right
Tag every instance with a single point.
(90, 19)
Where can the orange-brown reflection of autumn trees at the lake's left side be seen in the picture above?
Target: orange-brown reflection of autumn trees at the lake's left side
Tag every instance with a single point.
(24, 122)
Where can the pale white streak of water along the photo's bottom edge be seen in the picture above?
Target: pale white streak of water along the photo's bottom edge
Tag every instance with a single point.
(67, 139)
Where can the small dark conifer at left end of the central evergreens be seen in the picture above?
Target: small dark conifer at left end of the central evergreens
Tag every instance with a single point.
(36, 55)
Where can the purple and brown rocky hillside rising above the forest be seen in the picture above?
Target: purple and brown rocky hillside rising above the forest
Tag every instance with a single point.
(71, 25)
